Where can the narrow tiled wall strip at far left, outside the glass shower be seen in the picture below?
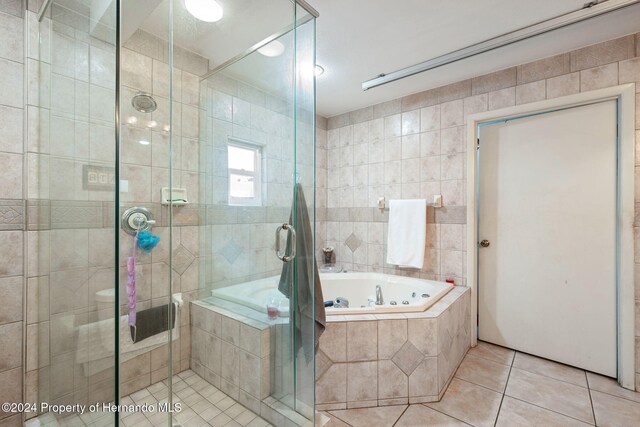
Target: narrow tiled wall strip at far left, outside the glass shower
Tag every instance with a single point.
(12, 209)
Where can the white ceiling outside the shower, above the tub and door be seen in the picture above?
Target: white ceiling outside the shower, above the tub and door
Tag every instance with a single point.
(360, 39)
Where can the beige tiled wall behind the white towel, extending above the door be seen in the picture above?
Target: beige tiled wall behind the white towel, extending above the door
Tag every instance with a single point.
(414, 147)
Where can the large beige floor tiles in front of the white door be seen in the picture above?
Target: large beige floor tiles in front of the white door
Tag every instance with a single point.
(495, 386)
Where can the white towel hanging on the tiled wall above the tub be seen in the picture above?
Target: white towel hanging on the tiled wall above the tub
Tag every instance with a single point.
(407, 232)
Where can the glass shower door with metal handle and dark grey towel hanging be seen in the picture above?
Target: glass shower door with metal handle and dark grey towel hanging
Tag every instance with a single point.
(258, 156)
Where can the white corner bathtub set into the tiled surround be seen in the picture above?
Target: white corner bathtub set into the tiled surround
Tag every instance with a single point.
(400, 294)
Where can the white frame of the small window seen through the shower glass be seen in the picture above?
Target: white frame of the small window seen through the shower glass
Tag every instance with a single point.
(257, 174)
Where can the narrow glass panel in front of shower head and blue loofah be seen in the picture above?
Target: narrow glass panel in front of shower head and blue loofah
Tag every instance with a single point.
(152, 115)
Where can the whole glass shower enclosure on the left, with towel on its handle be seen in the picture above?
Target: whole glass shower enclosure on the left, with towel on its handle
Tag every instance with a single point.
(191, 122)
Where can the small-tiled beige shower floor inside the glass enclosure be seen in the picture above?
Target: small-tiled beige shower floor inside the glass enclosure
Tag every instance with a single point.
(202, 405)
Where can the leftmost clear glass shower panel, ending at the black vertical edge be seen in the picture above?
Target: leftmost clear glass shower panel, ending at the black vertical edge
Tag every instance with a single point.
(71, 108)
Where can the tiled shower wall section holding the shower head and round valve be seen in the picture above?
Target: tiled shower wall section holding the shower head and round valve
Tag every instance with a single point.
(146, 168)
